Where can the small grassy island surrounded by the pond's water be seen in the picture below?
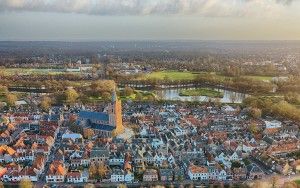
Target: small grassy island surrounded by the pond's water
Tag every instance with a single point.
(201, 92)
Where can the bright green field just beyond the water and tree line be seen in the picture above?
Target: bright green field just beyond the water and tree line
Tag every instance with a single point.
(172, 75)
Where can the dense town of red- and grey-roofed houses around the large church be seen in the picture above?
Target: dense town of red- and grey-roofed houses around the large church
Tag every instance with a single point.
(163, 143)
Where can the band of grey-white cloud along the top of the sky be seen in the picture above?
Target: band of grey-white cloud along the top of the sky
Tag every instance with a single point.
(211, 8)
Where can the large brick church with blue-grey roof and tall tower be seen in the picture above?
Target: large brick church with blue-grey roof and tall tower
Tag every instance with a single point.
(107, 123)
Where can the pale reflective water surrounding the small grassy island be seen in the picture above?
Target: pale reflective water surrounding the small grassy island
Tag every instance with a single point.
(173, 94)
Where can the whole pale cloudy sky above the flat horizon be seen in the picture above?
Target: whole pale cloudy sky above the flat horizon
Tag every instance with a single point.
(98, 20)
